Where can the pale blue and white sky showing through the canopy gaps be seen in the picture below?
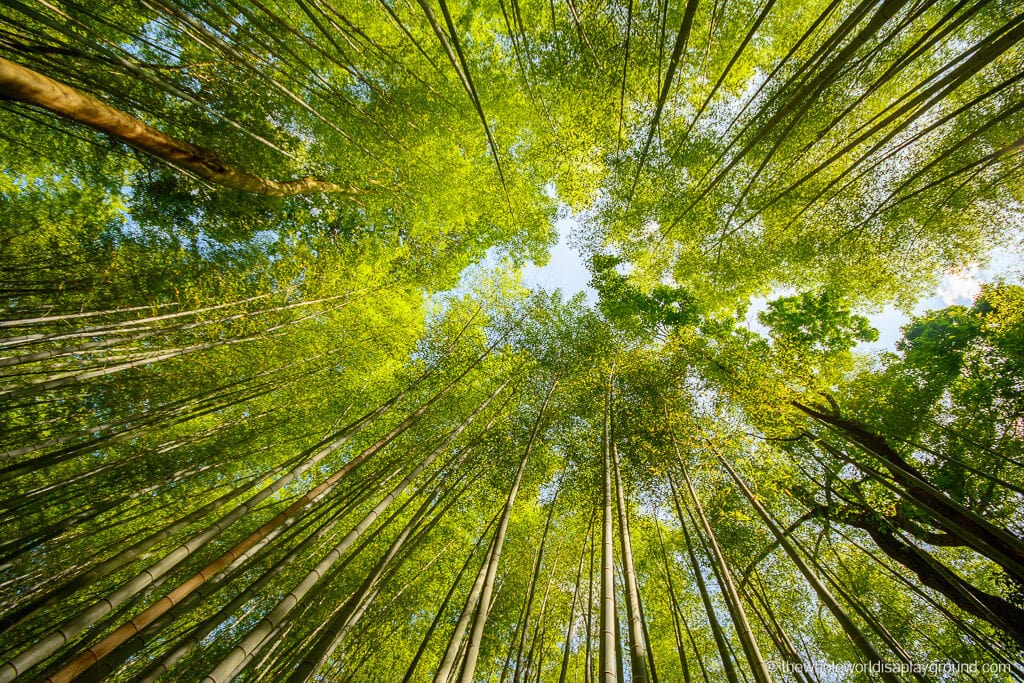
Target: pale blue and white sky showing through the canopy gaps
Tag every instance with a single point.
(568, 272)
